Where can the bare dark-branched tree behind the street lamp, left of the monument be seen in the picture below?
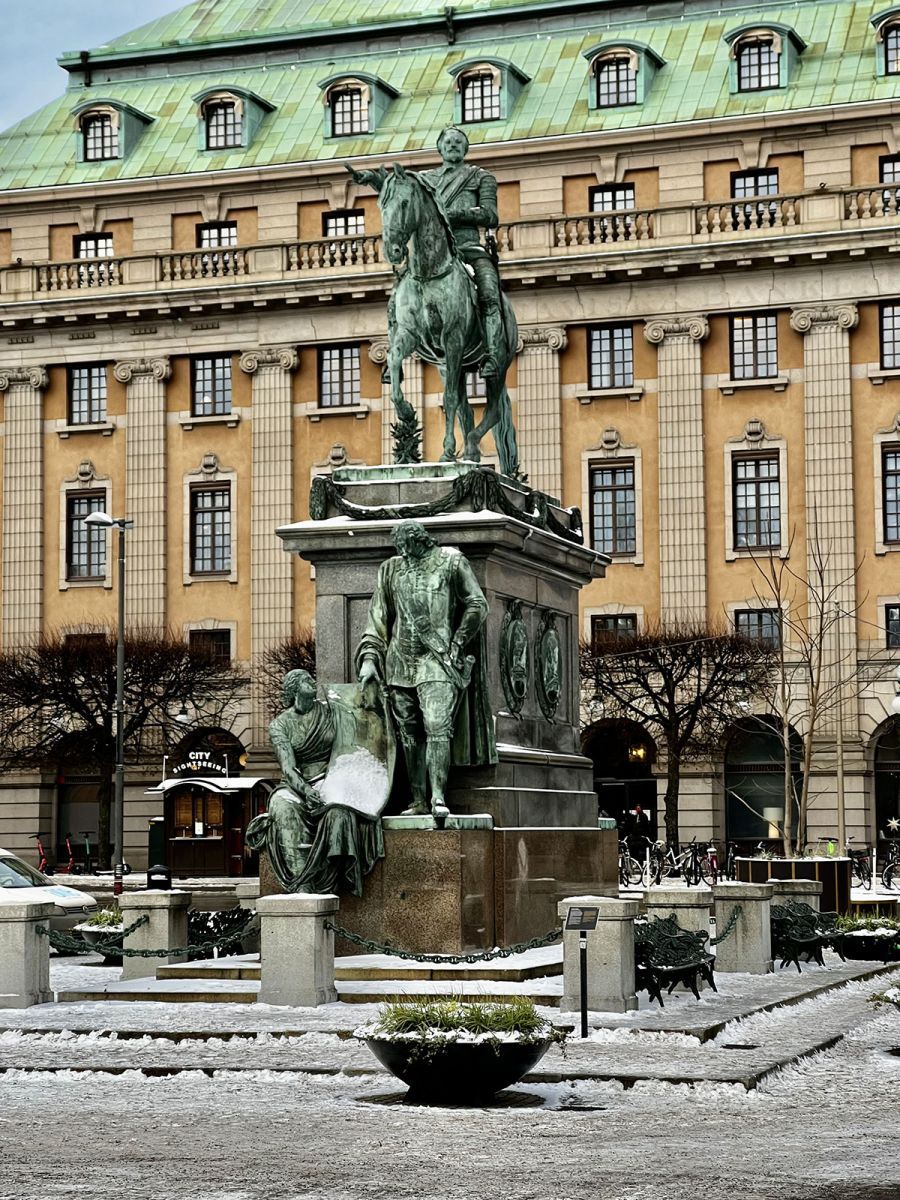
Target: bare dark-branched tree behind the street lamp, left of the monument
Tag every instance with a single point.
(58, 703)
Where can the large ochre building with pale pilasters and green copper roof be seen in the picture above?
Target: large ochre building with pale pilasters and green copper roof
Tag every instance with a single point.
(699, 223)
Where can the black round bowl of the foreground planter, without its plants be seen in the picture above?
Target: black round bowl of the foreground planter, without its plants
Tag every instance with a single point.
(460, 1072)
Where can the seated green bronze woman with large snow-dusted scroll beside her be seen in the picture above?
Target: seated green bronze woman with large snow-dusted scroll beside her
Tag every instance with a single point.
(322, 830)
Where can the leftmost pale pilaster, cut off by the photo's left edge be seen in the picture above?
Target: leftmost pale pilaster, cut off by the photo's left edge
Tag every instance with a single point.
(23, 505)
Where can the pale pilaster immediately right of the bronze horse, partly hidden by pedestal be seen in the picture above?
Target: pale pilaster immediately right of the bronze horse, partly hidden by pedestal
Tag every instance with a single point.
(539, 418)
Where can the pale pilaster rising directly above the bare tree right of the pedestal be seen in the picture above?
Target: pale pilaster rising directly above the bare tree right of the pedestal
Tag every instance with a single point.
(682, 485)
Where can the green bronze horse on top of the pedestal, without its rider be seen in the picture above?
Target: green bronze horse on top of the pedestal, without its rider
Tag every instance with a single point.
(434, 311)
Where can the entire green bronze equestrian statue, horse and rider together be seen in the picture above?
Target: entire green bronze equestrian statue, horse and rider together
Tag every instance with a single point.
(448, 305)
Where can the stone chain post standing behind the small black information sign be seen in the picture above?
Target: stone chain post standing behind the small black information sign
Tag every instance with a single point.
(611, 957)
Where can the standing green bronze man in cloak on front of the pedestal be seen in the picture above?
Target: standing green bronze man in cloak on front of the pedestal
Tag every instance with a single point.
(424, 641)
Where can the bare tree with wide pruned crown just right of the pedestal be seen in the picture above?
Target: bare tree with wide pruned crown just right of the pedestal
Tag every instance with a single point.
(685, 683)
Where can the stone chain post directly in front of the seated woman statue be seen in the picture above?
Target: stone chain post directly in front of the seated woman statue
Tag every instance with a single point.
(297, 952)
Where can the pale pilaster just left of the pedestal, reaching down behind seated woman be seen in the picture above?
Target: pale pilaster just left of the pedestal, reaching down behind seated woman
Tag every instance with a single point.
(272, 505)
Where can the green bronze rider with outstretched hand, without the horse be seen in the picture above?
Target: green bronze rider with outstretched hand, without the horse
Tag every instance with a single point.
(469, 196)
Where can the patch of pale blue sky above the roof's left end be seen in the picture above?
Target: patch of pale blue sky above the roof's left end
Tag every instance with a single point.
(38, 32)
